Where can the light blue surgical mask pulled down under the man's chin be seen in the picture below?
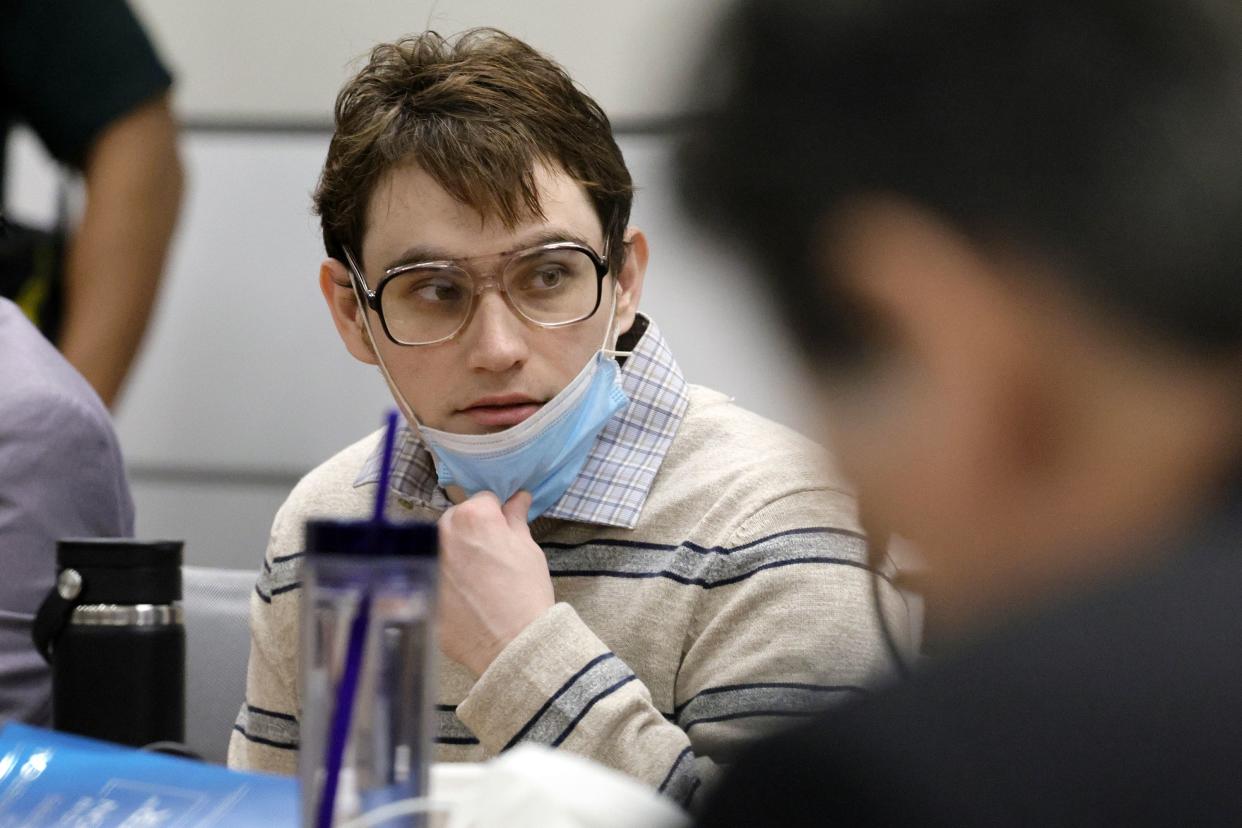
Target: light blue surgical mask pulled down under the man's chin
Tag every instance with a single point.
(542, 455)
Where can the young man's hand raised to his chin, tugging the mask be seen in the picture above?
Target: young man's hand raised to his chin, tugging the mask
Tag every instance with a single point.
(494, 578)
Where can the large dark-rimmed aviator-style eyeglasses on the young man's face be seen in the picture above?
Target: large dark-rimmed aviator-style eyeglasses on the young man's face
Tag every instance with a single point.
(551, 286)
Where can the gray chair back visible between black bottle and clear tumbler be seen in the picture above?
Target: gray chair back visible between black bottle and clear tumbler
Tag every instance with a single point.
(217, 651)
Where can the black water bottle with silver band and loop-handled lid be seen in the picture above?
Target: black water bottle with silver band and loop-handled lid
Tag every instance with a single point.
(115, 635)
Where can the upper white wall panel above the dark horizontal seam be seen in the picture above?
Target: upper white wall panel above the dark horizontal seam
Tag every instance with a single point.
(286, 59)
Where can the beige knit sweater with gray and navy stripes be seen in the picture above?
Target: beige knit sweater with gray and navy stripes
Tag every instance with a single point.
(738, 600)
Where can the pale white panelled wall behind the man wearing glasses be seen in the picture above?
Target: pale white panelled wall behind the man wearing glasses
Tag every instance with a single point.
(243, 384)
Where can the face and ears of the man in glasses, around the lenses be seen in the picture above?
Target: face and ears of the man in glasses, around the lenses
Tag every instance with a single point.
(500, 369)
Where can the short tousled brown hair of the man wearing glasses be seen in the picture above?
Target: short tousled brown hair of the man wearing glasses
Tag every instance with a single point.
(478, 114)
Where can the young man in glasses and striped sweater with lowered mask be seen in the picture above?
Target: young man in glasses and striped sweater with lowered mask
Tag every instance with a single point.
(648, 575)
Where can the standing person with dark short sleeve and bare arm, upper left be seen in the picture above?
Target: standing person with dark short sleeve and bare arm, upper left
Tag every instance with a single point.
(85, 78)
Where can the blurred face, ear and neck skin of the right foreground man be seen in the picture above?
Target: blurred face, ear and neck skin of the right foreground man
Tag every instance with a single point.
(1020, 439)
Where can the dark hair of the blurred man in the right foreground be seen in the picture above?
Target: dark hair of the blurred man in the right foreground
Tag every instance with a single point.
(1104, 135)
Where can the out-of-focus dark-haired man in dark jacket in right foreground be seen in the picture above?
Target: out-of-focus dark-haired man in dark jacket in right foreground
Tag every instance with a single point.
(1008, 236)
